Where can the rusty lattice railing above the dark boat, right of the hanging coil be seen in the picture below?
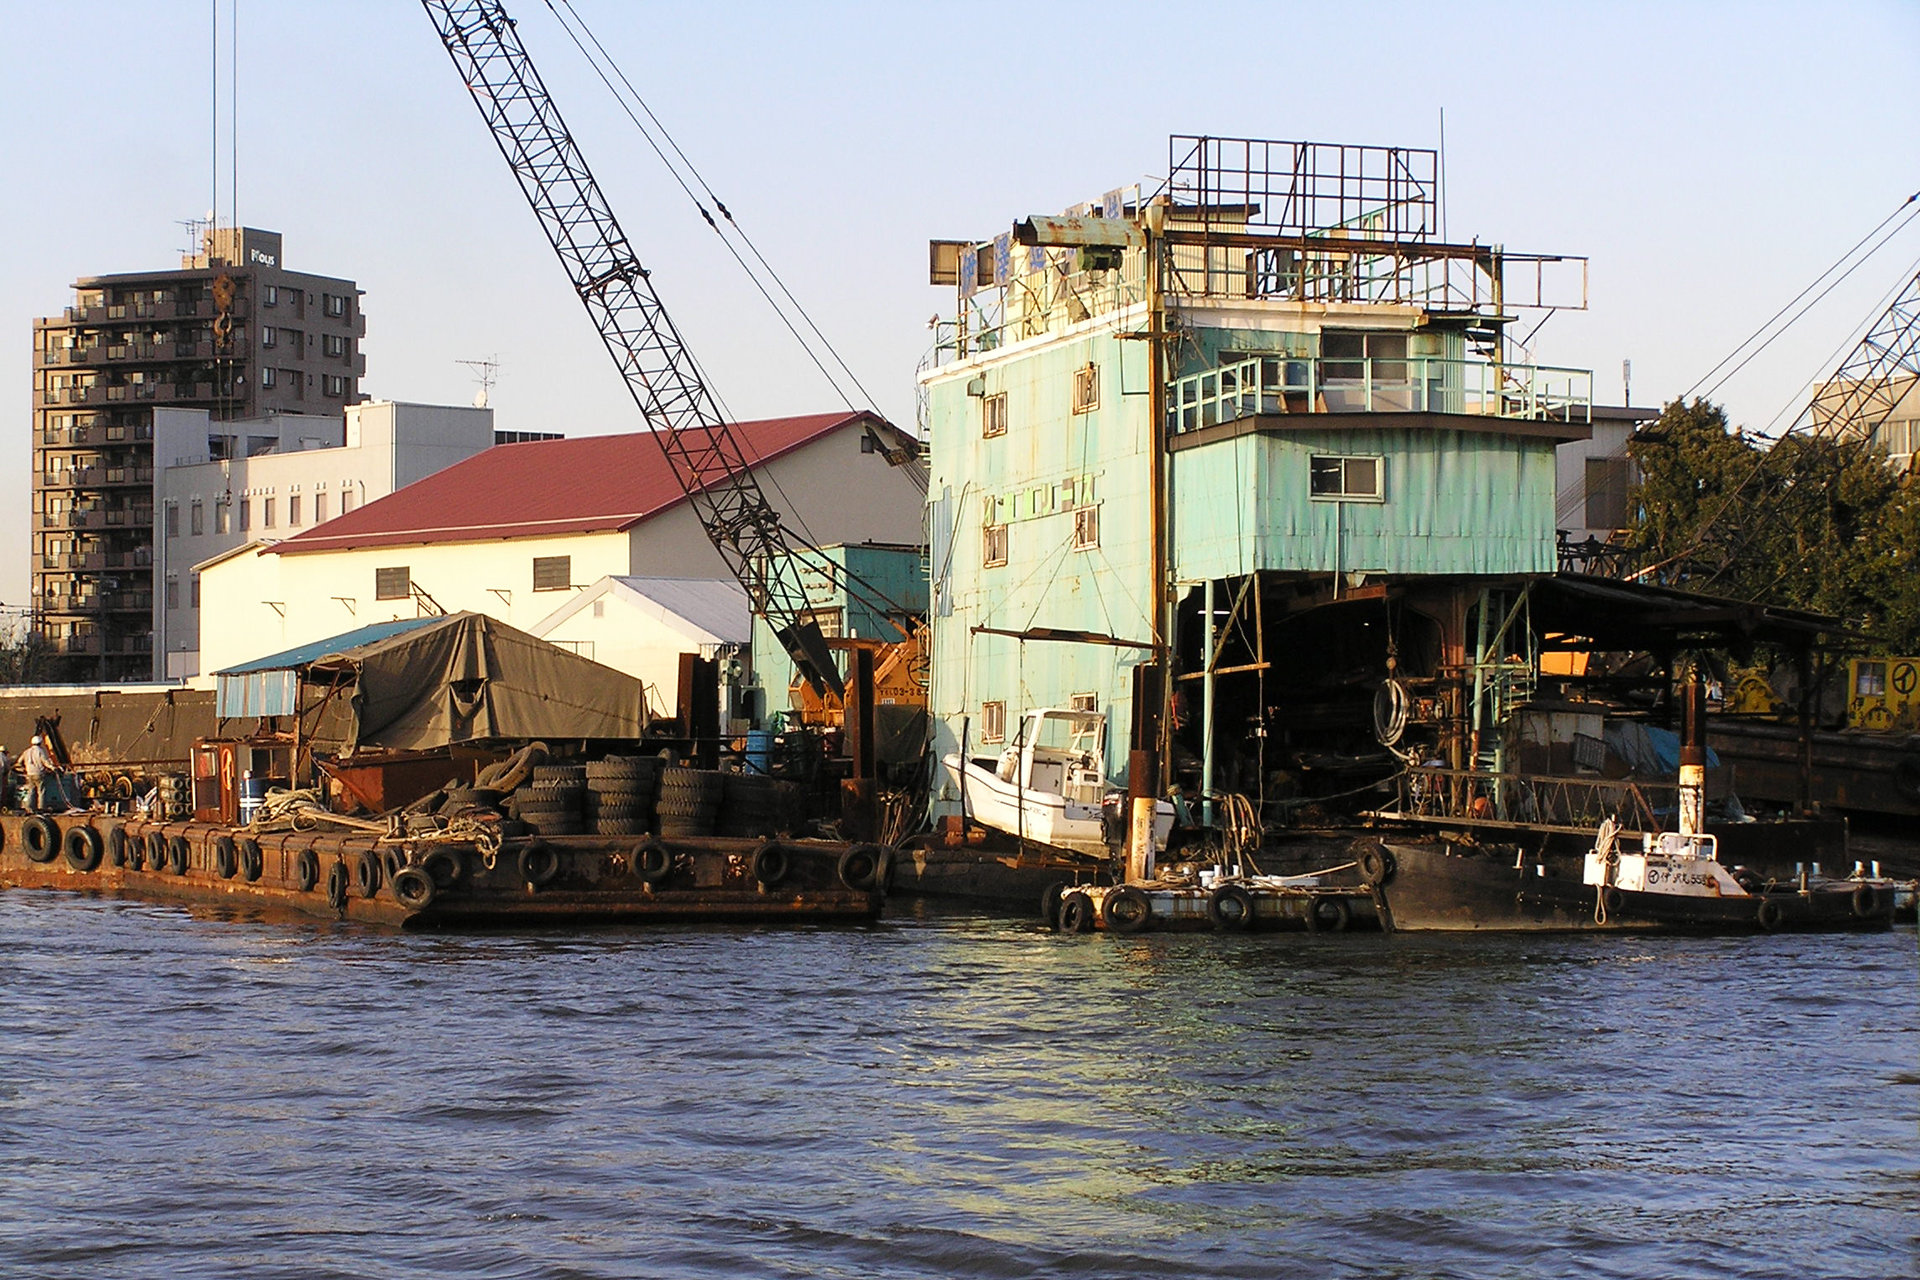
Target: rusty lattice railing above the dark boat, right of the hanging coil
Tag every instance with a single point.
(1529, 799)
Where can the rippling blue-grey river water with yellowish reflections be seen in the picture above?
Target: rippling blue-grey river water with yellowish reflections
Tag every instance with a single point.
(946, 1097)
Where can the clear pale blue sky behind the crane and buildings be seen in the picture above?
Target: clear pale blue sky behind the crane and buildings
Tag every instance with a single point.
(1708, 158)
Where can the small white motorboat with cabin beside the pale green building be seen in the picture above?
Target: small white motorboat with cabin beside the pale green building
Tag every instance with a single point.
(1049, 786)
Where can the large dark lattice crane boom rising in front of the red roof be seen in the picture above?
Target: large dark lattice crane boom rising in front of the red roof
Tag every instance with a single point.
(661, 375)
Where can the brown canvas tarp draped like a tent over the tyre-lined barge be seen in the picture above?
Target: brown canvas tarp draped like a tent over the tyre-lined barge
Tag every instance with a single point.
(458, 680)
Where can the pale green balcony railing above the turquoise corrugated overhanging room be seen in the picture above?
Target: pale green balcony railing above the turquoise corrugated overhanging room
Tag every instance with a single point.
(1291, 385)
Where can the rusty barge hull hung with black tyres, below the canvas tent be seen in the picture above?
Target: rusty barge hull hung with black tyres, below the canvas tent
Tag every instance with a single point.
(375, 882)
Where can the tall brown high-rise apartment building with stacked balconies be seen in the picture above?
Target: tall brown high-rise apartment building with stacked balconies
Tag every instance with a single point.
(233, 333)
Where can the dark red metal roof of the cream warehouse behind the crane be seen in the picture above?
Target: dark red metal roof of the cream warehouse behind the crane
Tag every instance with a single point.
(546, 488)
